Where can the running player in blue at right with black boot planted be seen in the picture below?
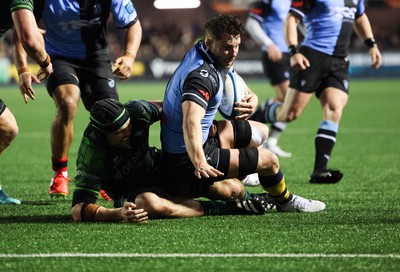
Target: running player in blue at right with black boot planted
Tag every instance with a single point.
(321, 66)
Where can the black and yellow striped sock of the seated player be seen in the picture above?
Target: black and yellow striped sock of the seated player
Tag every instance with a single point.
(276, 187)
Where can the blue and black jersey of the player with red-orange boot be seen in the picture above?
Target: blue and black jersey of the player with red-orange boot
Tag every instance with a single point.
(77, 29)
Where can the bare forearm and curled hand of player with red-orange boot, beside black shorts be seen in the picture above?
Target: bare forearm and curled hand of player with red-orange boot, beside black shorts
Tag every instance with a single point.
(124, 64)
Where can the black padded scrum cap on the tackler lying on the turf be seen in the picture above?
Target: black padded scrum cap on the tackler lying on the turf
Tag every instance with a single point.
(108, 115)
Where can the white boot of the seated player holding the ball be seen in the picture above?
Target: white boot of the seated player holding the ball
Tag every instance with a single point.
(301, 204)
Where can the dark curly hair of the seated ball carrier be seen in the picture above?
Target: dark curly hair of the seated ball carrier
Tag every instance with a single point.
(220, 24)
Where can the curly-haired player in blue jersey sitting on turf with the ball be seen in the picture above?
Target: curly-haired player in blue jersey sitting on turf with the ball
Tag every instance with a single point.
(204, 159)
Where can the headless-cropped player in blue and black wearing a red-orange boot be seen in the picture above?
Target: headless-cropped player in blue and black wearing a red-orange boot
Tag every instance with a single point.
(76, 40)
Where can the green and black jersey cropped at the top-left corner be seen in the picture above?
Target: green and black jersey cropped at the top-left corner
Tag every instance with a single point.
(9, 6)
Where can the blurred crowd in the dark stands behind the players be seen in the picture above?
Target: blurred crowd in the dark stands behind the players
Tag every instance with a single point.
(168, 40)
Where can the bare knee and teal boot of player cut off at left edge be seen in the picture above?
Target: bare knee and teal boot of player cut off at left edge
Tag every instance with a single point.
(8, 132)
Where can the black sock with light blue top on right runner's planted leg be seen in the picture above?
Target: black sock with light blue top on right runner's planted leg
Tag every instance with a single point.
(324, 143)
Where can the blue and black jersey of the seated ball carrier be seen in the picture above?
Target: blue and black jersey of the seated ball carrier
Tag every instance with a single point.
(196, 79)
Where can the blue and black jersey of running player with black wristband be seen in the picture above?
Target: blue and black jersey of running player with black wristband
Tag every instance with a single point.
(329, 23)
